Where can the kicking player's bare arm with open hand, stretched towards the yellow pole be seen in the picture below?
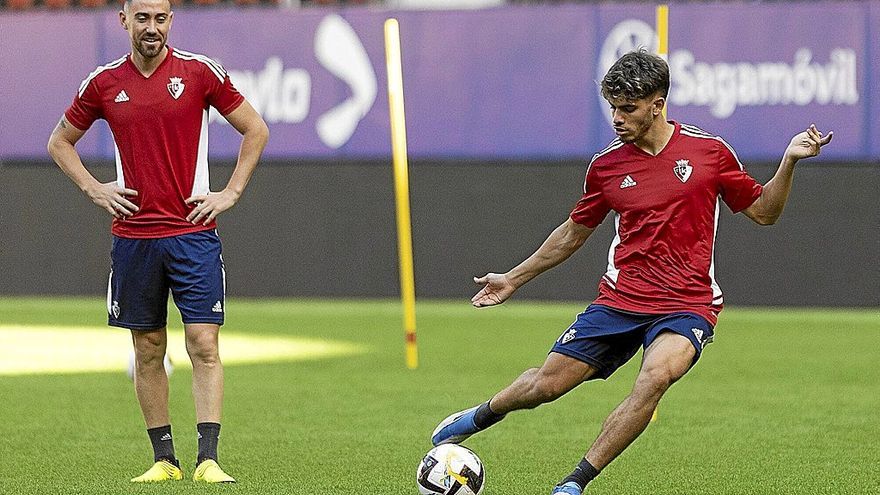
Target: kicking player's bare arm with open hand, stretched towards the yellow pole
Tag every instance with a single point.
(562, 243)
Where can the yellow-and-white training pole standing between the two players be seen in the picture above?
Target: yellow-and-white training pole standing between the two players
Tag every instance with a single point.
(401, 188)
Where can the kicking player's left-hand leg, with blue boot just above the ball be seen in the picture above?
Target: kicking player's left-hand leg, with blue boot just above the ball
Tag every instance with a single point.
(556, 377)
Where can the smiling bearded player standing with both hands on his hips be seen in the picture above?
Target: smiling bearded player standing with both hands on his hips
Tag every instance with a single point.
(156, 102)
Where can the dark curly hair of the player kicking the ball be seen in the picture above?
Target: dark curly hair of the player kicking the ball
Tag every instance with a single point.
(636, 75)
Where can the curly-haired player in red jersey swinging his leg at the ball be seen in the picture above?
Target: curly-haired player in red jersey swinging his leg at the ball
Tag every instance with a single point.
(664, 183)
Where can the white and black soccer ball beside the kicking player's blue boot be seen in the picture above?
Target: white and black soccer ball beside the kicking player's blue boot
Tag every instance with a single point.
(450, 470)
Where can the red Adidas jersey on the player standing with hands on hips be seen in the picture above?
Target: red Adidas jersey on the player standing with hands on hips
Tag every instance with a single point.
(160, 128)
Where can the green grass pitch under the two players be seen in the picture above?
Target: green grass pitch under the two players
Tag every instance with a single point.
(784, 402)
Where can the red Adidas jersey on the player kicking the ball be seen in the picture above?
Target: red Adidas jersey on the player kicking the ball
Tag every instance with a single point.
(662, 258)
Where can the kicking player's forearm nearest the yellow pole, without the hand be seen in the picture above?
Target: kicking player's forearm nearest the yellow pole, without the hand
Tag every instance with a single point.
(558, 247)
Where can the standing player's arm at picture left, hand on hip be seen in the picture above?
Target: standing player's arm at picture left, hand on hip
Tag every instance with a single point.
(109, 196)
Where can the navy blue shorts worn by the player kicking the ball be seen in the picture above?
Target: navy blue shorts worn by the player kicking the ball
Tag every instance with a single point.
(607, 338)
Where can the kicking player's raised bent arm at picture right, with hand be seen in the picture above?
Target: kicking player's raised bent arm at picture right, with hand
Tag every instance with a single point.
(767, 208)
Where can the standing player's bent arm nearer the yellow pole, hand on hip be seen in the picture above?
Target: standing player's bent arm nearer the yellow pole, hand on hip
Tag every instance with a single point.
(255, 135)
